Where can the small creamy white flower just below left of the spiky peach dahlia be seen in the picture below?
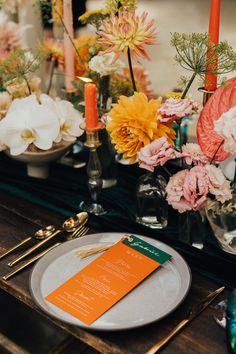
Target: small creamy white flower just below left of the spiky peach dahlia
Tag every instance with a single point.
(104, 64)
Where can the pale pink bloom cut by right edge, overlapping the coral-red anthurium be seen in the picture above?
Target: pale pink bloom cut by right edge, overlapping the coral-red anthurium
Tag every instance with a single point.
(225, 126)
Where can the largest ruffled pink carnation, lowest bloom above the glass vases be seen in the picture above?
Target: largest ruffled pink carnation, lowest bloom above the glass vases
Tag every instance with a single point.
(188, 189)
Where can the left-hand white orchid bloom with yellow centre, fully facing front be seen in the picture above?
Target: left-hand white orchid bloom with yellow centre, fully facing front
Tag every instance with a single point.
(28, 122)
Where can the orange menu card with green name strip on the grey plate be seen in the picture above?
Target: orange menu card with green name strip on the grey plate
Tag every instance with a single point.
(103, 282)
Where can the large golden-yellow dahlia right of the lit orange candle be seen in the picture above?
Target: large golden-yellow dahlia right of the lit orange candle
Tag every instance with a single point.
(134, 124)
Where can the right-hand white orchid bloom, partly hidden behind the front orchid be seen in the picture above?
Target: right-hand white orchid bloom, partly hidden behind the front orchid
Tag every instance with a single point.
(68, 117)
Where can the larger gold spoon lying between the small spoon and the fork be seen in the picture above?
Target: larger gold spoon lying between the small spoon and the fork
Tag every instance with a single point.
(74, 222)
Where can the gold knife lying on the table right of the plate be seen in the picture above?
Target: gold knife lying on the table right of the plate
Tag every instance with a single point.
(194, 312)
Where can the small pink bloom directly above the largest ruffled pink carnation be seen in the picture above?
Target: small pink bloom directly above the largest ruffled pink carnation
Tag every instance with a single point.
(192, 153)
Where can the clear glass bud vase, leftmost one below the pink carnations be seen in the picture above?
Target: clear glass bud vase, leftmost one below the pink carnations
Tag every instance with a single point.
(152, 207)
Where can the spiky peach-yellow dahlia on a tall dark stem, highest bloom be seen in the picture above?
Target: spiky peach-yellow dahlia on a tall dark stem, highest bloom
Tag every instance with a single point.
(127, 30)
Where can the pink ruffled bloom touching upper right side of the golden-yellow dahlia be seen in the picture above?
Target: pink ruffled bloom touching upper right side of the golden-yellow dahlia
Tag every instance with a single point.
(176, 108)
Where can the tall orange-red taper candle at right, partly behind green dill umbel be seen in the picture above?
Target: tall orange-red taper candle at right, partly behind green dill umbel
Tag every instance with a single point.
(214, 28)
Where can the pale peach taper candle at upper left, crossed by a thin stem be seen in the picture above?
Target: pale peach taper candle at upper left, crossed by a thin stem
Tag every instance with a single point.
(68, 47)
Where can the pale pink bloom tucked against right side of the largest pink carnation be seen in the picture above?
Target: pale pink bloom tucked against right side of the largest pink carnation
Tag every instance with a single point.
(218, 185)
